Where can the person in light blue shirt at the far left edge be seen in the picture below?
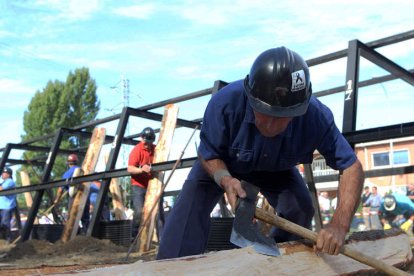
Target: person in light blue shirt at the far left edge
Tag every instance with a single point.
(7, 203)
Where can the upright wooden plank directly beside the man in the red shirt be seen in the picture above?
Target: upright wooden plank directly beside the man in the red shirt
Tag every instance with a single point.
(161, 154)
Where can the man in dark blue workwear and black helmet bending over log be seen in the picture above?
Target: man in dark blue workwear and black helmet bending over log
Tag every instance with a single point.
(258, 129)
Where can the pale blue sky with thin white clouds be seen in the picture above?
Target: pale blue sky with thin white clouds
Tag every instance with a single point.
(166, 49)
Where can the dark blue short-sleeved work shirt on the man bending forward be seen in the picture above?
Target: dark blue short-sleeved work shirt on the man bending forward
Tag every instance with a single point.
(229, 133)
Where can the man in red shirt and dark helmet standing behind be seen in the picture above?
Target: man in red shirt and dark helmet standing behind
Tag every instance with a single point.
(139, 166)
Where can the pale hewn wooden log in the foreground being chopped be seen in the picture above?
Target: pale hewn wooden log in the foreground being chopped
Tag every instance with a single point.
(297, 258)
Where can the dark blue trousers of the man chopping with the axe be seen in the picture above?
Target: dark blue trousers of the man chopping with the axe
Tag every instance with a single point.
(187, 227)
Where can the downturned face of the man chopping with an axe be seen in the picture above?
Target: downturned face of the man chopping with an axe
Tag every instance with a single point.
(270, 126)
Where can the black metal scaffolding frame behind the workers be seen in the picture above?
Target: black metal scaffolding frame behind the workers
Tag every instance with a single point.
(352, 53)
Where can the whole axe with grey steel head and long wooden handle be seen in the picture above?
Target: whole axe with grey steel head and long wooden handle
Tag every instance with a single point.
(244, 232)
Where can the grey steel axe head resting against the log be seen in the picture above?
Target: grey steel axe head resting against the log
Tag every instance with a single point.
(245, 232)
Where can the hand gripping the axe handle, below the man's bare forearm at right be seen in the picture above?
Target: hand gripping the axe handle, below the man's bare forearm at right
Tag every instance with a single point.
(330, 240)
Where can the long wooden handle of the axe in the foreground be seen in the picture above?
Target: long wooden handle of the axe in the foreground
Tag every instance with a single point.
(310, 235)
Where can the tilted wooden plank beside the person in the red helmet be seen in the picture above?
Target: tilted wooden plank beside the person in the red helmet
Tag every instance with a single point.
(88, 166)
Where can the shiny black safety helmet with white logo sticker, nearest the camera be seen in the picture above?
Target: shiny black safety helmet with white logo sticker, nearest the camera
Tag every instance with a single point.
(279, 83)
